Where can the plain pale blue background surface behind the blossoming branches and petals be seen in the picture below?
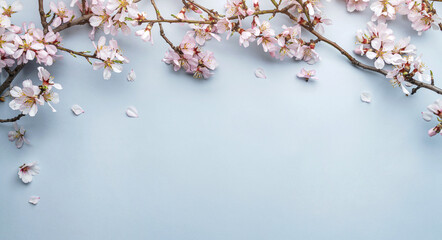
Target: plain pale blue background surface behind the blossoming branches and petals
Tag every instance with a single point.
(232, 157)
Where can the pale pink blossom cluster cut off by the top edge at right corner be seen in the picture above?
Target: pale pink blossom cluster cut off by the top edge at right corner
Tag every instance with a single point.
(420, 13)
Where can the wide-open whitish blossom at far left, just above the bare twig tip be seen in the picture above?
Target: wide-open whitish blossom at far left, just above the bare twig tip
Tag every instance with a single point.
(26, 99)
